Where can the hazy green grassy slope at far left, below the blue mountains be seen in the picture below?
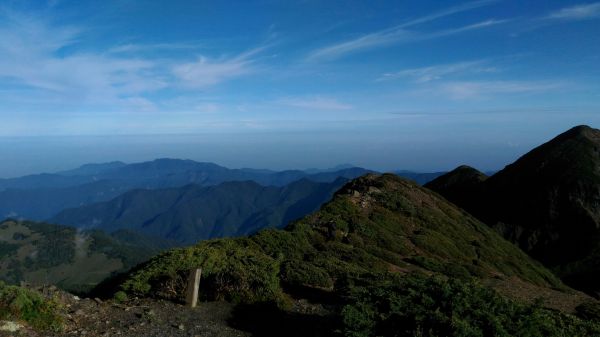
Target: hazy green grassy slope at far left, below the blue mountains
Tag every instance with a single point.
(40, 253)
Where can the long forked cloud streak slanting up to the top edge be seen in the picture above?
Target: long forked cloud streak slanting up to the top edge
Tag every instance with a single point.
(400, 34)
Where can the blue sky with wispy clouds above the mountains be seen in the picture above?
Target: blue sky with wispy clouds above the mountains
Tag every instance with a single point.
(419, 85)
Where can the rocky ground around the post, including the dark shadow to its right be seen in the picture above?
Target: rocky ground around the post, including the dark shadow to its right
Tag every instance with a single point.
(157, 318)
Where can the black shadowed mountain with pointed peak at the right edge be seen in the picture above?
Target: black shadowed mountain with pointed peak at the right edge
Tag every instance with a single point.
(548, 202)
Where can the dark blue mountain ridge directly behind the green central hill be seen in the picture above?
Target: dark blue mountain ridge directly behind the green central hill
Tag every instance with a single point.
(193, 213)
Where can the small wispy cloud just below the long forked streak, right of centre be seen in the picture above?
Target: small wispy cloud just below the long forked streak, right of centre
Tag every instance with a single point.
(437, 72)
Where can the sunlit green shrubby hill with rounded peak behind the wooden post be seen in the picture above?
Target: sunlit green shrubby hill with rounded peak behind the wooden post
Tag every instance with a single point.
(373, 224)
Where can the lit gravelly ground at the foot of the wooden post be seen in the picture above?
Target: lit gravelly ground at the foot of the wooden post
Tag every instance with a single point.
(93, 317)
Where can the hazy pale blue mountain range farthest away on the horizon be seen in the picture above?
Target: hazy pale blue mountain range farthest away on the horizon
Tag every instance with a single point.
(42, 196)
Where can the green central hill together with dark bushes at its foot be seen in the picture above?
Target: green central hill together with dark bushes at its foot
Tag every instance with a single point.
(384, 251)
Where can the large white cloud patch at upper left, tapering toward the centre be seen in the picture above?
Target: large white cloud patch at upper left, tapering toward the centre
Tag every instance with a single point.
(43, 60)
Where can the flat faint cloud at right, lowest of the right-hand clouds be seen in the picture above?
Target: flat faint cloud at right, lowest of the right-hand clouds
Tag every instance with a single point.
(463, 90)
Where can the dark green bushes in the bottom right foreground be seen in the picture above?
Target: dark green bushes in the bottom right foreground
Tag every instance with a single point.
(434, 306)
